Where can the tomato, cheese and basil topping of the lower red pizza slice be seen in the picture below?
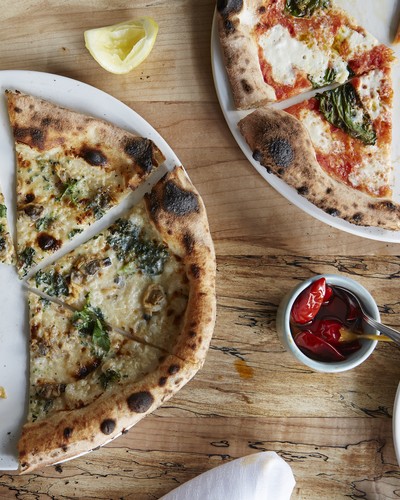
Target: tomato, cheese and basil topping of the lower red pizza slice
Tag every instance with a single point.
(350, 128)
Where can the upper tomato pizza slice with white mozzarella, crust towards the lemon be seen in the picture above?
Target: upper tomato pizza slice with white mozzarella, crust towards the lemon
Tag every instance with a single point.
(274, 50)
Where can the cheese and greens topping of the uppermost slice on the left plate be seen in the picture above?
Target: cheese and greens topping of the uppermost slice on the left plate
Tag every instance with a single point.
(60, 196)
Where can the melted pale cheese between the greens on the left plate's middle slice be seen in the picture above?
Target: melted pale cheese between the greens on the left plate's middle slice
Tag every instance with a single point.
(121, 290)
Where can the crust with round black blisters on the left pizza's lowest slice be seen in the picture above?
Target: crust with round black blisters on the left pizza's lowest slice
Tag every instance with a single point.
(67, 434)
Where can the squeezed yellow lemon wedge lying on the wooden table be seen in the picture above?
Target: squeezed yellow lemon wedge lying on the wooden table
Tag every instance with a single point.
(121, 47)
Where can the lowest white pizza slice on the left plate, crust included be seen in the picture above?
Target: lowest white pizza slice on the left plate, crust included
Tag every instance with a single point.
(88, 384)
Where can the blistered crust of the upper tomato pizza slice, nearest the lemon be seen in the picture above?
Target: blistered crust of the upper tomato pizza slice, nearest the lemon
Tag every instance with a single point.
(240, 52)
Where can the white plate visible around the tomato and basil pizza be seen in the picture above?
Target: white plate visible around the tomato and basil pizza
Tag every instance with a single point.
(378, 17)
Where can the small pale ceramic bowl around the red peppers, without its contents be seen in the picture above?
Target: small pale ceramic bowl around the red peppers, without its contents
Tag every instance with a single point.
(286, 337)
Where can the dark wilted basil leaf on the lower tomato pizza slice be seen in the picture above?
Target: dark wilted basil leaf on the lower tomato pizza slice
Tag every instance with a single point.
(343, 108)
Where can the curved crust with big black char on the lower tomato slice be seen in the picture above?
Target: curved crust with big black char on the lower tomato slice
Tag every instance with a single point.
(282, 145)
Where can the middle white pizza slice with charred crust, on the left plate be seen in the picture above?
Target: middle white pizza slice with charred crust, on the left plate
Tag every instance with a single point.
(152, 271)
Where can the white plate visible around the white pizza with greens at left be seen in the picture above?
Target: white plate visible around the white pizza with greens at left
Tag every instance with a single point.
(14, 330)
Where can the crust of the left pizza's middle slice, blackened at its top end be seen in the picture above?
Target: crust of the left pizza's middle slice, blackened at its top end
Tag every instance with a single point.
(178, 213)
